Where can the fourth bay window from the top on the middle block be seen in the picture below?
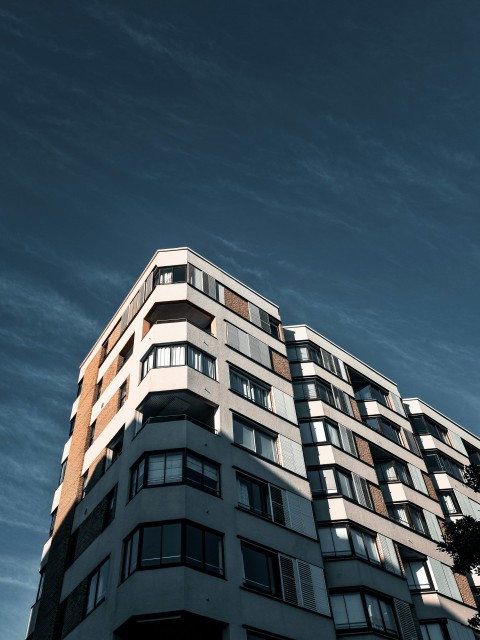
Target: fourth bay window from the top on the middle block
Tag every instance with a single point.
(337, 481)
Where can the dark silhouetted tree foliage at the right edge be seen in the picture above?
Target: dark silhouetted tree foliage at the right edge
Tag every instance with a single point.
(462, 538)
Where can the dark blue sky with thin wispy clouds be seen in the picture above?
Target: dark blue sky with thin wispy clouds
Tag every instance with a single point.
(325, 153)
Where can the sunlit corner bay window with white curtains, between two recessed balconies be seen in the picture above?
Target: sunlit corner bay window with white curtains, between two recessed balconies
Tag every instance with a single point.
(177, 355)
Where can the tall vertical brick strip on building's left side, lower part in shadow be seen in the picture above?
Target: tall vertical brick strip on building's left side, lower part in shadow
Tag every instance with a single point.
(47, 626)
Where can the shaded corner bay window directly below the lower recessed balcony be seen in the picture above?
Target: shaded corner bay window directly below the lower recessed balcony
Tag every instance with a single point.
(174, 467)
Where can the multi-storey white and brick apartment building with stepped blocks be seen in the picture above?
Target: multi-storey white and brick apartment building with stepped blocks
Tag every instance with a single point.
(226, 477)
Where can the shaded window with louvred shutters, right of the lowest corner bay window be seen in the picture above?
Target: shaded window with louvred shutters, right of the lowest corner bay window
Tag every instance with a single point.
(289, 579)
